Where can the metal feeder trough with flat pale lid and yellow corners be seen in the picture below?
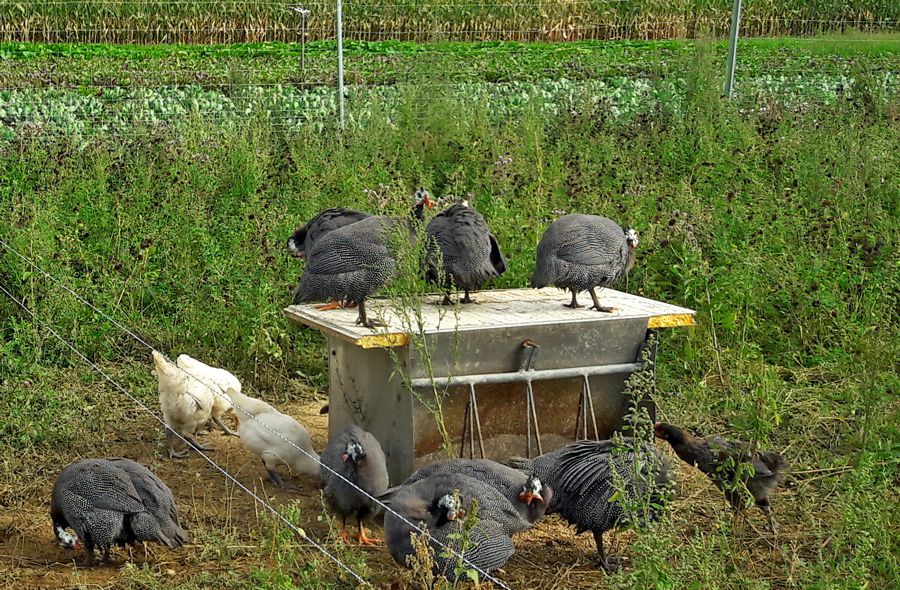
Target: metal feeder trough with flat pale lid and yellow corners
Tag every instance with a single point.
(516, 373)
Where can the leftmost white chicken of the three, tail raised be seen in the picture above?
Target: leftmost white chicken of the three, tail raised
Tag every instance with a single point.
(186, 404)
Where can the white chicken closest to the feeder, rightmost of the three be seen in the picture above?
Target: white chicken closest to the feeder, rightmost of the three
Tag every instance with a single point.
(267, 433)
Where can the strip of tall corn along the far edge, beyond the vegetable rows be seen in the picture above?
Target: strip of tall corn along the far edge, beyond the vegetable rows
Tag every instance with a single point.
(210, 21)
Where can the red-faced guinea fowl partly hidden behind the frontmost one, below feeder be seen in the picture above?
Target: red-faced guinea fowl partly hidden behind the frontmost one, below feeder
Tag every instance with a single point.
(524, 491)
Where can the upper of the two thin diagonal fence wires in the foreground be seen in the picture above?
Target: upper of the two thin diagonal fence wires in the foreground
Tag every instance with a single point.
(366, 494)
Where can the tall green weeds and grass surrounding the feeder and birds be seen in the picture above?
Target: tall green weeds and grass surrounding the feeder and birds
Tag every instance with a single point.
(777, 226)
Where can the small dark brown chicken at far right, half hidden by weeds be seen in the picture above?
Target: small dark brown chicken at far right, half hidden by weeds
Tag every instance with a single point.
(725, 462)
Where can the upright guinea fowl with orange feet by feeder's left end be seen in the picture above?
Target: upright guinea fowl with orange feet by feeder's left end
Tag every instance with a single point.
(357, 456)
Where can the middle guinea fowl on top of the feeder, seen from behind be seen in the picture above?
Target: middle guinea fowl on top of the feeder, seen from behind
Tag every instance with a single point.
(462, 251)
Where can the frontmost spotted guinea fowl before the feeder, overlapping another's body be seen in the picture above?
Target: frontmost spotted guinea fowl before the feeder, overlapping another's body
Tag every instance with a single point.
(436, 503)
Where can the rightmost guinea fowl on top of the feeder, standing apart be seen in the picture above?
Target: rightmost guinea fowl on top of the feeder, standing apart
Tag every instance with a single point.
(582, 252)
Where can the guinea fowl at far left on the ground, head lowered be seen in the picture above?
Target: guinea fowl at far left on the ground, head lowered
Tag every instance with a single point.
(97, 499)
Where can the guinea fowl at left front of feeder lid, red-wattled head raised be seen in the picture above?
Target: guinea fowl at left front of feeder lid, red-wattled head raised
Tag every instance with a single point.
(354, 261)
